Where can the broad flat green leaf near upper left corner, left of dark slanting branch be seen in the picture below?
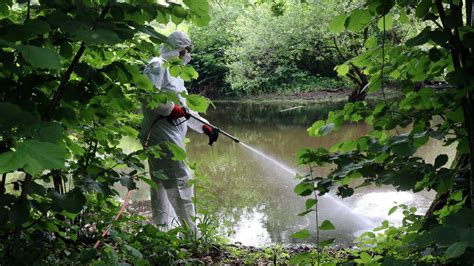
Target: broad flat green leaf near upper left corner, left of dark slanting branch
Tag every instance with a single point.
(38, 57)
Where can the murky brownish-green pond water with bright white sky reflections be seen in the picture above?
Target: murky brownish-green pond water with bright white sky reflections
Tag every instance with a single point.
(256, 197)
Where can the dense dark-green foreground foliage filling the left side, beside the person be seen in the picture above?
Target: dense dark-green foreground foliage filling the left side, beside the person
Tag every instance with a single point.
(71, 90)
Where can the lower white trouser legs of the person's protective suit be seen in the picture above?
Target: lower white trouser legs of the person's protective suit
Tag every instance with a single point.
(180, 198)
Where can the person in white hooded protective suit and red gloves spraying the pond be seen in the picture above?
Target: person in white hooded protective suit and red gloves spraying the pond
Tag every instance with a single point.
(168, 122)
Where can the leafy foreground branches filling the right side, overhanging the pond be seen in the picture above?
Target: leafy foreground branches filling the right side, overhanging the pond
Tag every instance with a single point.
(442, 51)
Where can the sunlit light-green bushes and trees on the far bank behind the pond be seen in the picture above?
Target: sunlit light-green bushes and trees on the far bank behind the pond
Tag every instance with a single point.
(255, 47)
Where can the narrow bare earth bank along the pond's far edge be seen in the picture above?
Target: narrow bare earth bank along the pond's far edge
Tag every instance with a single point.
(318, 96)
